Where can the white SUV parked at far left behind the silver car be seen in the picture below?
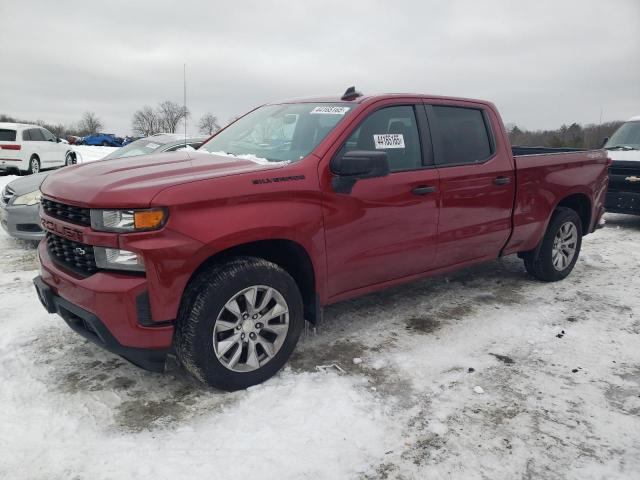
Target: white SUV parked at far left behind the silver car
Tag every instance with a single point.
(30, 148)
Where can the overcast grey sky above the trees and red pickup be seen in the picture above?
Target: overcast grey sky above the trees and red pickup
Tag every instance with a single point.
(543, 63)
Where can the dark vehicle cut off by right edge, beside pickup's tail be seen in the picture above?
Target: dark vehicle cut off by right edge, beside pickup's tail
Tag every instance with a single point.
(623, 147)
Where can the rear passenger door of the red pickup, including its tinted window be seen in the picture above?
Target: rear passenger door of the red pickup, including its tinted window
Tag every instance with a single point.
(477, 183)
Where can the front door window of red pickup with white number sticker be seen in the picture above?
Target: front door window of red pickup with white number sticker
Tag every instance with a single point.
(393, 130)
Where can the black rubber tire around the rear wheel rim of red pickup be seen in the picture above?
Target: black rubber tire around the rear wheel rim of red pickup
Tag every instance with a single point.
(541, 265)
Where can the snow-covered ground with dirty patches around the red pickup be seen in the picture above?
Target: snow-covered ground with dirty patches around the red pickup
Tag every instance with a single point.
(482, 374)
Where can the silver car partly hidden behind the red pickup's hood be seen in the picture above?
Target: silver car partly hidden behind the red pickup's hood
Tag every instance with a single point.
(20, 202)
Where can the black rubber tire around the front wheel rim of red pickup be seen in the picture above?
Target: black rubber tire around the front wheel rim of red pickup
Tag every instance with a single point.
(204, 299)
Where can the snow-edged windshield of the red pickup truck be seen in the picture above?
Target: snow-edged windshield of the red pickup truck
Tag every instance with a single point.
(277, 133)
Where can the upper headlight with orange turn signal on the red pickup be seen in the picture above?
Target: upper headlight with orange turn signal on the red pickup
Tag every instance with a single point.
(128, 220)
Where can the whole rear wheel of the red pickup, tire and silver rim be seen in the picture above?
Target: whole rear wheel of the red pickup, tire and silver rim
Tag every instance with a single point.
(560, 247)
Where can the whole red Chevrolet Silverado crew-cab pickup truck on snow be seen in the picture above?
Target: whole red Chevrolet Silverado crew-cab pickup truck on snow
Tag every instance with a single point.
(219, 255)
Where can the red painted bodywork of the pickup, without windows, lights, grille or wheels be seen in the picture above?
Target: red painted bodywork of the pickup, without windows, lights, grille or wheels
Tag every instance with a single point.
(378, 235)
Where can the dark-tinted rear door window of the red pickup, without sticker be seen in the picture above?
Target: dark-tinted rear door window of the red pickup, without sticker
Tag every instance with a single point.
(460, 135)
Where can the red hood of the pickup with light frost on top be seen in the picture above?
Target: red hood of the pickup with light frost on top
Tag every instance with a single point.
(133, 181)
